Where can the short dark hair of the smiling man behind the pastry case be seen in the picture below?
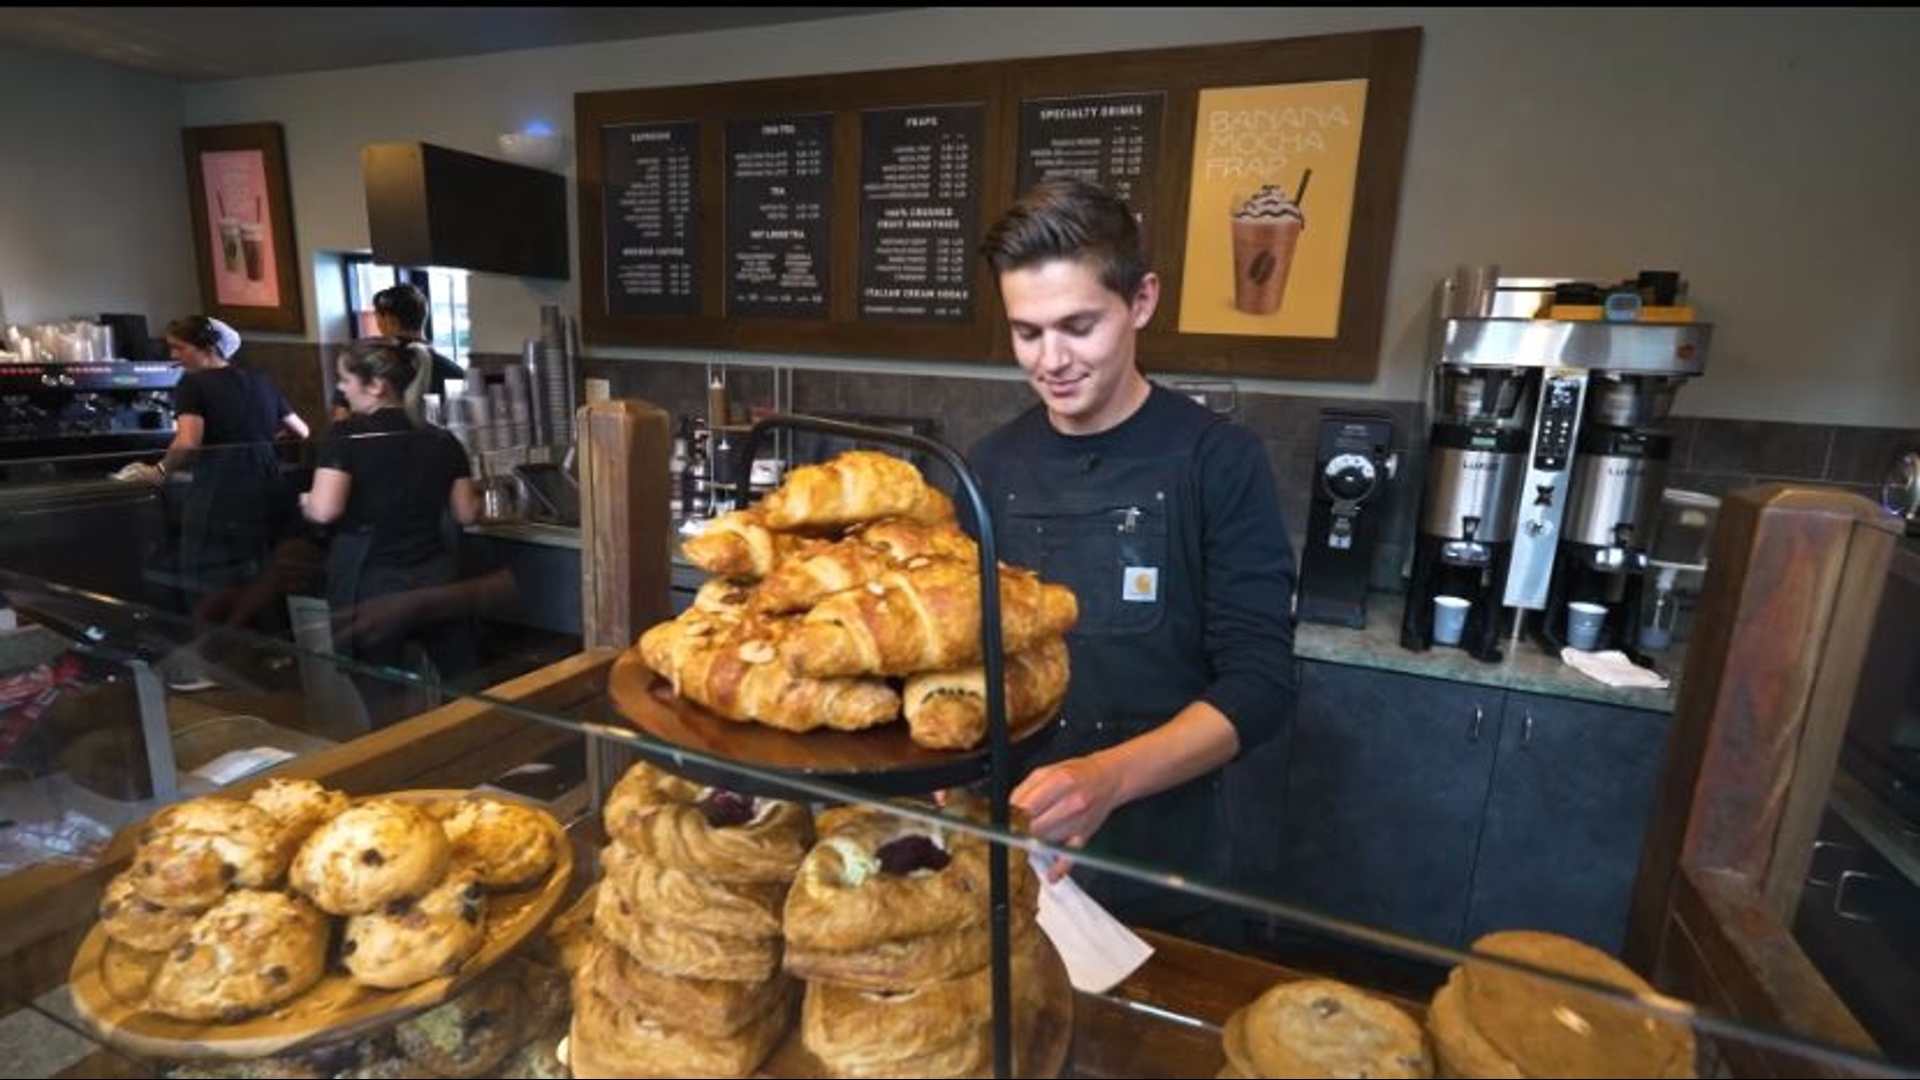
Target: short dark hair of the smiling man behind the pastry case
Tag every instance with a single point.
(1070, 220)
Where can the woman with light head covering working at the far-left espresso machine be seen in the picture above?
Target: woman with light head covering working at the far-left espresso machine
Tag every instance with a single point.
(226, 422)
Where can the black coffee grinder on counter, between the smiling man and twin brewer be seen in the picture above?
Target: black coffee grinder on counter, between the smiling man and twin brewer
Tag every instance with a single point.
(1351, 476)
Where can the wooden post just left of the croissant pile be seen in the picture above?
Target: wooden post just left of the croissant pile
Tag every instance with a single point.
(625, 522)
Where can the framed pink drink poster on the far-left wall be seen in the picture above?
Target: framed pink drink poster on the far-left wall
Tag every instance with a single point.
(245, 226)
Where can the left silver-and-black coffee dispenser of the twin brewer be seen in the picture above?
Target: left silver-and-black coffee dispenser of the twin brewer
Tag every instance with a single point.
(1476, 460)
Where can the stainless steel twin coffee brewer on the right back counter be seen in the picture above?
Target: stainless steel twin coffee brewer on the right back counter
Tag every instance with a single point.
(1593, 454)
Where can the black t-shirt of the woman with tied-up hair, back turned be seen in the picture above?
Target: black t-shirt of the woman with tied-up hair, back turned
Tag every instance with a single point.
(402, 478)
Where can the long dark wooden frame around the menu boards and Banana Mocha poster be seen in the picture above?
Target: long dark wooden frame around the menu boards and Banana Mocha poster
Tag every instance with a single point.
(1385, 61)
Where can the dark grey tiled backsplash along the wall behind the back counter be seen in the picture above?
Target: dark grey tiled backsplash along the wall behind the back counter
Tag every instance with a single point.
(1710, 454)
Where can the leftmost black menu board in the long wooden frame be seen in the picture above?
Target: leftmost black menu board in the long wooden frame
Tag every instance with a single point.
(654, 224)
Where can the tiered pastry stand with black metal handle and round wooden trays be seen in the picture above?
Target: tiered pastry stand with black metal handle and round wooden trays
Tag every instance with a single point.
(882, 762)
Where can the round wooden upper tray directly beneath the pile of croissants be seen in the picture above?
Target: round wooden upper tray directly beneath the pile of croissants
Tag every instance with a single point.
(880, 760)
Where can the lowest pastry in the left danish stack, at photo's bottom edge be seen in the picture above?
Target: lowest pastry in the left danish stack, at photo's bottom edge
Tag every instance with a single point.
(613, 1043)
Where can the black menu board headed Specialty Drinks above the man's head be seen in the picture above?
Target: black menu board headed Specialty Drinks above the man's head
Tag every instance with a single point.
(1107, 139)
